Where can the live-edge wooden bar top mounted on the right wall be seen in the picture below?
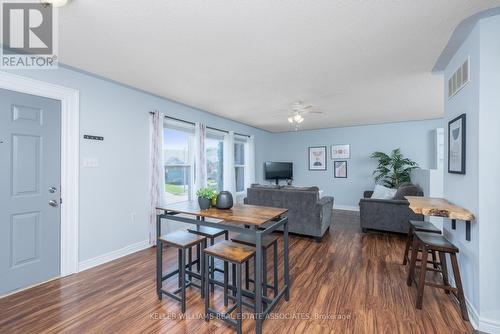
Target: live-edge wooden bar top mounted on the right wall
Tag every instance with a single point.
(438, 207)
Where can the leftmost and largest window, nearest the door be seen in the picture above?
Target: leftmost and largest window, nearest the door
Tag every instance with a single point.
(177, 154)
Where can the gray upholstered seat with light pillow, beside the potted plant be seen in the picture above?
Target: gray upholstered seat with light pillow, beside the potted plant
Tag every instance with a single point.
(390, 215)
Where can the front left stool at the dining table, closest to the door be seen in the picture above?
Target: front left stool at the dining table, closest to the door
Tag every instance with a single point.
(181, 240)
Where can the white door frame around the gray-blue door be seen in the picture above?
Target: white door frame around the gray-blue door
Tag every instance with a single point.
(70, 158)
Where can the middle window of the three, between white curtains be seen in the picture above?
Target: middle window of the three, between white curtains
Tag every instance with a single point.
(214, 152)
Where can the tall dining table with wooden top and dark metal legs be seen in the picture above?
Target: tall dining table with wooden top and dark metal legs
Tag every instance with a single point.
(257, 221)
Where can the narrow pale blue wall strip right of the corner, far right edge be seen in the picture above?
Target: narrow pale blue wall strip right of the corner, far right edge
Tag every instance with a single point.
(489, 177)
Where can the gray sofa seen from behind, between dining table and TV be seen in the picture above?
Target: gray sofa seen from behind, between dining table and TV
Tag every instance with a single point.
(307, 213)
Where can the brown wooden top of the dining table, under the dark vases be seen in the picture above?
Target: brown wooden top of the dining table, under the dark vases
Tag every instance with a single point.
(239, 213)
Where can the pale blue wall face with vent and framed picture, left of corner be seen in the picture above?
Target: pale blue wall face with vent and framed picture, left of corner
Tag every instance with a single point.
(463, 189)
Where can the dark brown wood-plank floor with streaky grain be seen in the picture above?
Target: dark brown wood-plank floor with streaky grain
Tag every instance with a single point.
(349, 283)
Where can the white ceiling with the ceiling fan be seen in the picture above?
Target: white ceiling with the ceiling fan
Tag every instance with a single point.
(361, 61)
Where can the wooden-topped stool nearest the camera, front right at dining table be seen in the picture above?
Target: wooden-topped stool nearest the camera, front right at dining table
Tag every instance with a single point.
(237, 254)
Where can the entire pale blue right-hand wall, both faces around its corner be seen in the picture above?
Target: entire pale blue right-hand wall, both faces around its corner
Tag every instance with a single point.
(478, 190)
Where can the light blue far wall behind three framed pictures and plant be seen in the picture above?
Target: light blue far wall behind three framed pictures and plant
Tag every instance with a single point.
(414, 138)
